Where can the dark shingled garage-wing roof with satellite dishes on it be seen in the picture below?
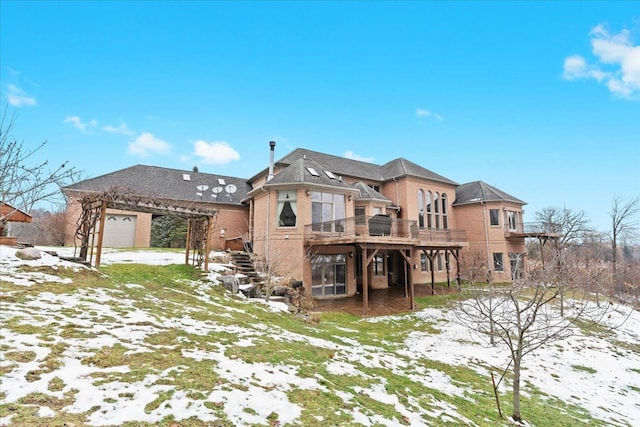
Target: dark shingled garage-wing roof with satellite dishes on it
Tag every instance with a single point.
(153, 181)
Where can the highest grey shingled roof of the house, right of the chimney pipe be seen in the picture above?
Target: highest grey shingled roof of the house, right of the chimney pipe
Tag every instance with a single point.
(359, 169)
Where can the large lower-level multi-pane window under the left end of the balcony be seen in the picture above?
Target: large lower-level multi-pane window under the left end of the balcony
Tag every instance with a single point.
(329, 275)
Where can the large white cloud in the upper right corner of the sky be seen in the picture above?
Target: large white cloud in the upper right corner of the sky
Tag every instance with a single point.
(617, 63)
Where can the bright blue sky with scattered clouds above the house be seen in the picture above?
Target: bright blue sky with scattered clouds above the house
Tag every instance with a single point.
(541, 100)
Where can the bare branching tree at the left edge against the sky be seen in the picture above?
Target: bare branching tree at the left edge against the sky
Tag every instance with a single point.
(23, 185)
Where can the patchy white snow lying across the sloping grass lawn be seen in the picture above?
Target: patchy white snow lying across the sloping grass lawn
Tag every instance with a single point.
(587, 370)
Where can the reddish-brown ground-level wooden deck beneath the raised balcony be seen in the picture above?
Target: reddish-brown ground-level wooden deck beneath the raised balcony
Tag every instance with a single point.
(382, 302)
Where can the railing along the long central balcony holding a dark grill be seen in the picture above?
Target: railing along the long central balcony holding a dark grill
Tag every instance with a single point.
(380, 227)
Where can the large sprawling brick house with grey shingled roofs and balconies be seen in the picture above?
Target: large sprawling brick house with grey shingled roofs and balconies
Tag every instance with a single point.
(341, 226)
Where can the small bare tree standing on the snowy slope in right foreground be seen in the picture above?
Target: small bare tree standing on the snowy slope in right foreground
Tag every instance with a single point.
(524, 316)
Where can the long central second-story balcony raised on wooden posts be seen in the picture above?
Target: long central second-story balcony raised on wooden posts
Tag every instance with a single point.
(381, 229)
